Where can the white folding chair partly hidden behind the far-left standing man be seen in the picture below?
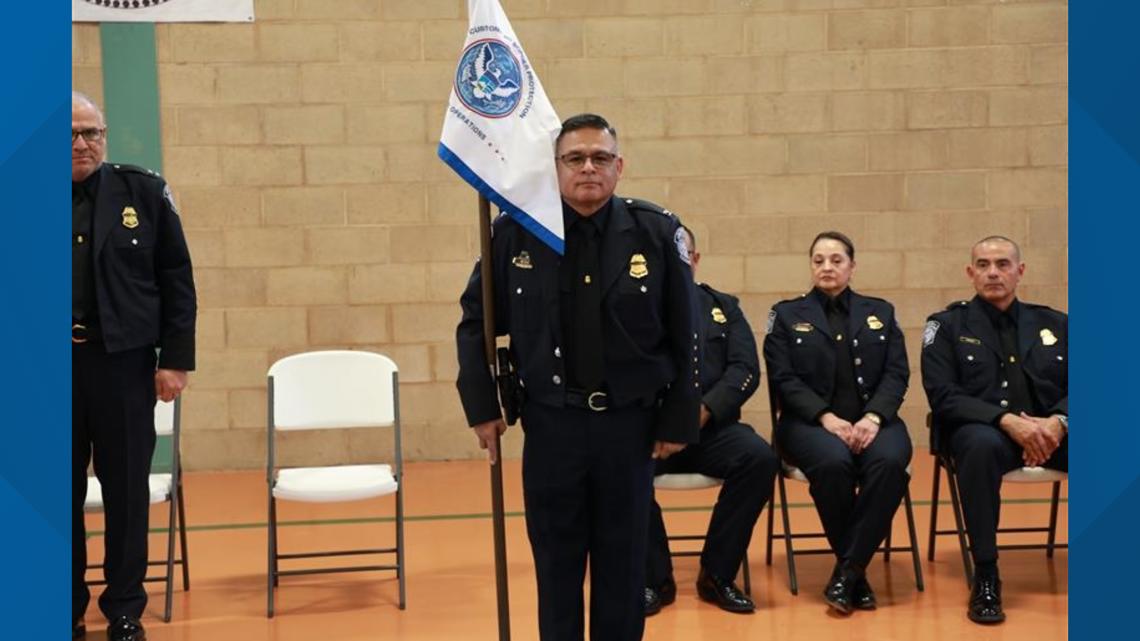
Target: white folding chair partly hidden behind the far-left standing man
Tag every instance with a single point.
(165, 488)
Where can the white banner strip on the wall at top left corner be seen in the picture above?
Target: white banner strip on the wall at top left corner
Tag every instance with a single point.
(162, 11)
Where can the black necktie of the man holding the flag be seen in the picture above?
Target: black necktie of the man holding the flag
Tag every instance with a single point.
(588, 314)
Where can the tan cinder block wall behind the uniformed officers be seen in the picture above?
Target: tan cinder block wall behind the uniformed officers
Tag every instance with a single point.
(302, 150)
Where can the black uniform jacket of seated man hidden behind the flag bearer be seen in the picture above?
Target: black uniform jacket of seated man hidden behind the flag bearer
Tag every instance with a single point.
(730, 367)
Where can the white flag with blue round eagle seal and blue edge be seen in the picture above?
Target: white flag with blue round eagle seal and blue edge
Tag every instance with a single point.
(500, 128)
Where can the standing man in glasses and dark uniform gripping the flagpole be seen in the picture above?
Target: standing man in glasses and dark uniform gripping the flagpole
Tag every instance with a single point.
(604, 342)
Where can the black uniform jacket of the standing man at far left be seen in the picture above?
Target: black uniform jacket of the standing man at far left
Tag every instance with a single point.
(143, 278)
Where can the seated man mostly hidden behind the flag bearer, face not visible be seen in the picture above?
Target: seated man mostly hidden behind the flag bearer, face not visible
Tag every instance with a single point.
(728, 450)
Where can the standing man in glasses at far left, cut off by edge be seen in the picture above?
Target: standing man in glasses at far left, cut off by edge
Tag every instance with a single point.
(133, 296)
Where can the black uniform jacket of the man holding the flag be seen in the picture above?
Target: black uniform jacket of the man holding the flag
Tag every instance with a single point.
(647, 320)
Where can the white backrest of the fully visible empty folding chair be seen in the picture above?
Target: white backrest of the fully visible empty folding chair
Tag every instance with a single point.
(333, 390)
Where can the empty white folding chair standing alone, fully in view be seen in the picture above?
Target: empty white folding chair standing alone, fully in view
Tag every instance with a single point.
(338, 390)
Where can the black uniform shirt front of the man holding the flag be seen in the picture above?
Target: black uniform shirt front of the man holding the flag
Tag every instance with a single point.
(581, 280)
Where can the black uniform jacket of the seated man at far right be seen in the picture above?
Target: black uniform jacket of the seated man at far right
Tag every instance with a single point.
(963, 367)
